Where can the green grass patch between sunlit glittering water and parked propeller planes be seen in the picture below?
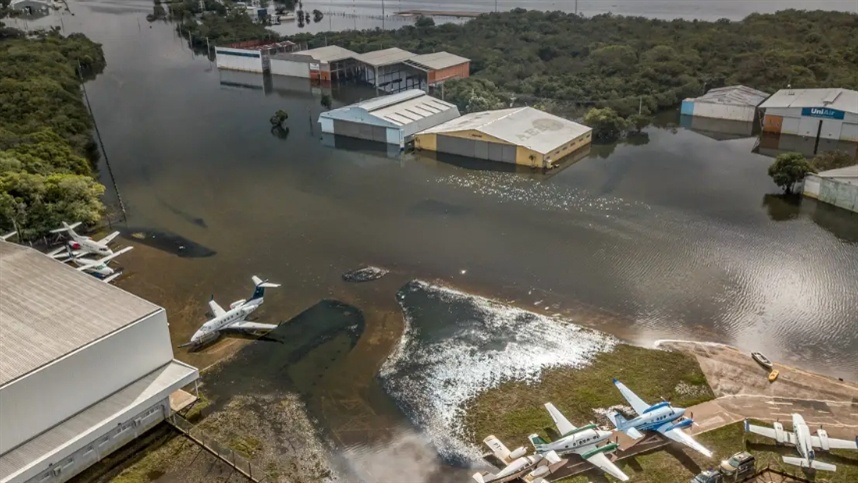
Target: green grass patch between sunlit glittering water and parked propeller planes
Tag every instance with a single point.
(515, 409)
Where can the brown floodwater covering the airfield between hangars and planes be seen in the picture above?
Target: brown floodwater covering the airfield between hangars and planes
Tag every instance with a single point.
(674, 236)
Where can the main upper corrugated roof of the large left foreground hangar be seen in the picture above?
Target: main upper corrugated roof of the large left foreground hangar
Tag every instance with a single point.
(48, 309)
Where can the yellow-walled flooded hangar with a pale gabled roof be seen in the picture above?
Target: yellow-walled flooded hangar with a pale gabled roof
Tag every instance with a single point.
(521, 135)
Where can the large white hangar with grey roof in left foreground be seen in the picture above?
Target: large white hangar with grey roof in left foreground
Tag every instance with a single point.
(85, 368)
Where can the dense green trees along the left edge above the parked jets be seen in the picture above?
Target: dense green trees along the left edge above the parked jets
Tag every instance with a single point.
(46, 150)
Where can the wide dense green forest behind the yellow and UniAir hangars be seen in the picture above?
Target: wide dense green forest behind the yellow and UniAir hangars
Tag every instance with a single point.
(562, 59)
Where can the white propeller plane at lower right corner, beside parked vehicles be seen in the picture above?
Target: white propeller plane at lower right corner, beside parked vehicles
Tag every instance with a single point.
(804, 442)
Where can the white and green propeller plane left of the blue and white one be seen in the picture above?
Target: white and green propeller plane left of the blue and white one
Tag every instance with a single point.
(582, 441)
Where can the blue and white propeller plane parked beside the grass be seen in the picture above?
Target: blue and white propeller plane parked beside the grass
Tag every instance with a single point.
(661, 417)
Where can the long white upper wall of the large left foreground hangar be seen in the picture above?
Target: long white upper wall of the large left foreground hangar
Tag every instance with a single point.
(61, 389)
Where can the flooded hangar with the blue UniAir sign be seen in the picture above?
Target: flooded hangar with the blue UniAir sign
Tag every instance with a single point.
(813, 113)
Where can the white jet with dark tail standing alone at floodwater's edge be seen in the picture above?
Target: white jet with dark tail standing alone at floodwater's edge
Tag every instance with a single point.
(234, 318)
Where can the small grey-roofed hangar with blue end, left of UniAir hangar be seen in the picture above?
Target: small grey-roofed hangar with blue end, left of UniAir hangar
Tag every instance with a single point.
(735, 103)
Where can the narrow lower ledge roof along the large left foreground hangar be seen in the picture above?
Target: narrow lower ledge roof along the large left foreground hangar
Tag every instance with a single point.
(160, 382)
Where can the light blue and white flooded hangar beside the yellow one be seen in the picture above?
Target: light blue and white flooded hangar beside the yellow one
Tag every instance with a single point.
(392, 119)
